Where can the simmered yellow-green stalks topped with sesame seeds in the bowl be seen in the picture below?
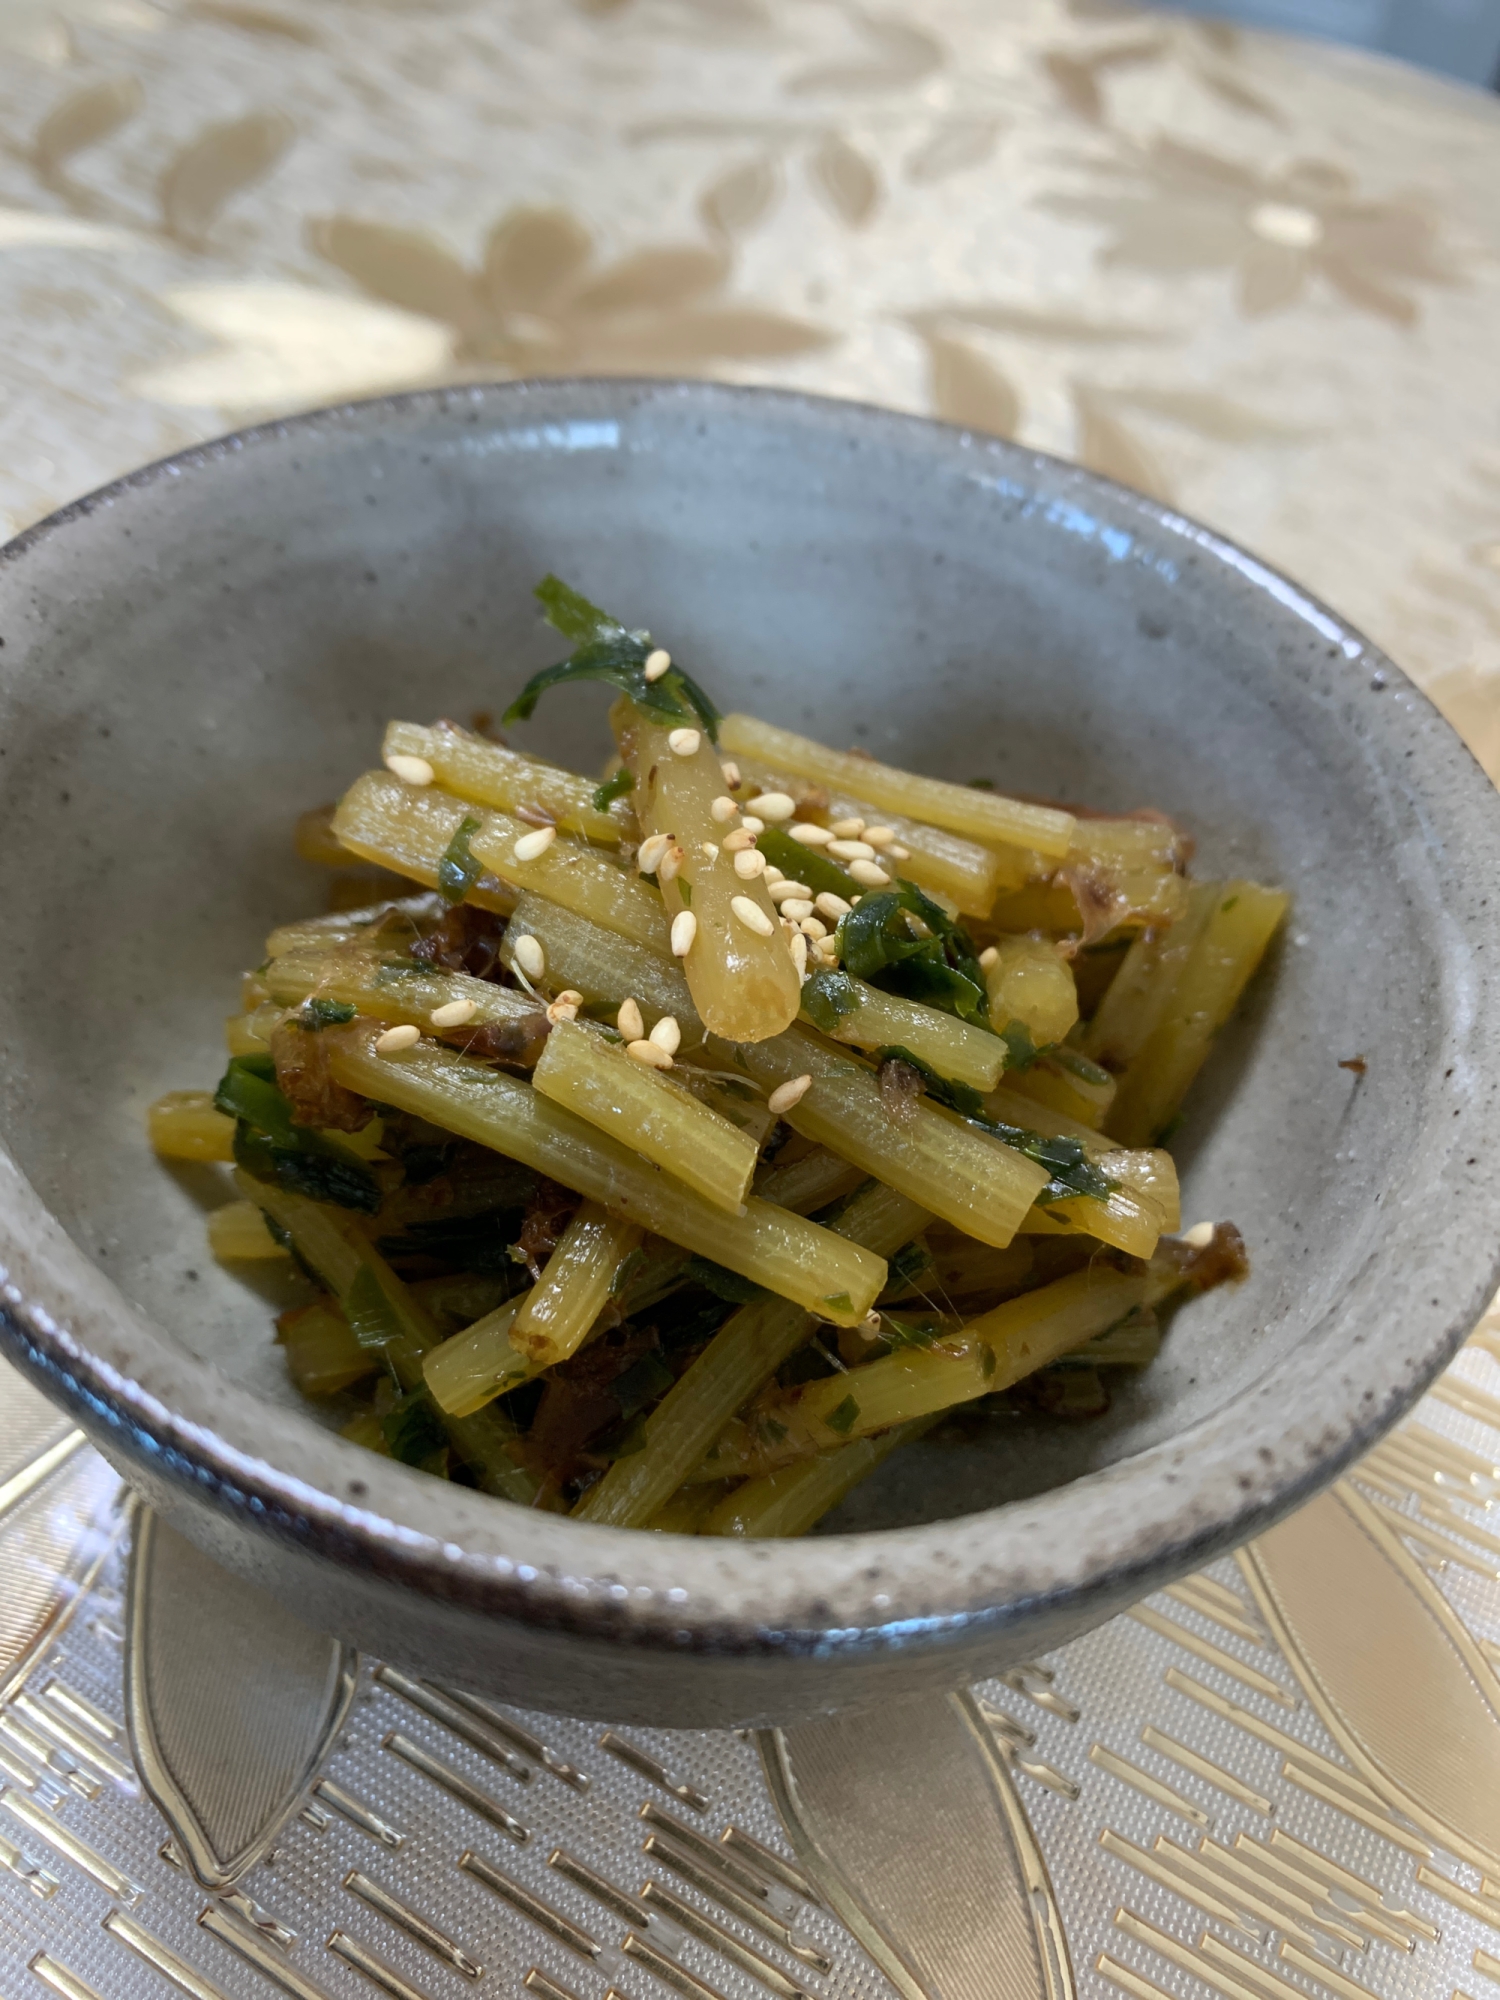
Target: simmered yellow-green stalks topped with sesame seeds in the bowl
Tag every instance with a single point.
(701, 1135)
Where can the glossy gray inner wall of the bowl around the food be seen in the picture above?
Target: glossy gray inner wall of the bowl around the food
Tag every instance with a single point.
(215, 651)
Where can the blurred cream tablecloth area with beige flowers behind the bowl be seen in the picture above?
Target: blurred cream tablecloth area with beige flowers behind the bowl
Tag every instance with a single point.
(1253, 277)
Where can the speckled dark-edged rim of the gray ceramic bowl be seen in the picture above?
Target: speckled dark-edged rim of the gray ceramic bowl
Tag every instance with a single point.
(1099, 1541)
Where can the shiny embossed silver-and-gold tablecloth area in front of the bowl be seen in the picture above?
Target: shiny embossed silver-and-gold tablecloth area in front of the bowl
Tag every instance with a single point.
(1277, 1779)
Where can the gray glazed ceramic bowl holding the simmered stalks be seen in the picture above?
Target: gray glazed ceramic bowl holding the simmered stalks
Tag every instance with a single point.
(213, 645)
